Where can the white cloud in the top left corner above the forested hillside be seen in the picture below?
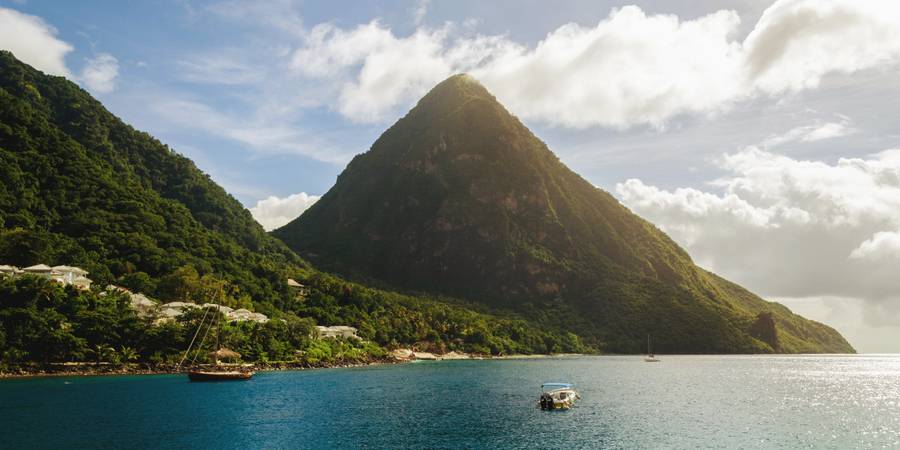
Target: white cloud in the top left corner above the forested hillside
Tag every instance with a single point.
(33, 41)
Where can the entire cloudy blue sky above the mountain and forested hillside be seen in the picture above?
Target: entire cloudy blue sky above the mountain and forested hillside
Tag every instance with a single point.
(758, 134)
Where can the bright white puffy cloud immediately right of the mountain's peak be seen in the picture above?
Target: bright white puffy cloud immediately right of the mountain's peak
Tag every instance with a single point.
(630, 68)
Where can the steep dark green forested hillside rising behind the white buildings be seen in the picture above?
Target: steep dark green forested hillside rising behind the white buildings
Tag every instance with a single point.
(78, 186)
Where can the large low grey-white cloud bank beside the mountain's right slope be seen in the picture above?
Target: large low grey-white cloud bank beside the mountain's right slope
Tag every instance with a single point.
(785, 227)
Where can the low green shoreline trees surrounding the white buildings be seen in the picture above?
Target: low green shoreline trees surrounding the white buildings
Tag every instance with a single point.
(43, 322)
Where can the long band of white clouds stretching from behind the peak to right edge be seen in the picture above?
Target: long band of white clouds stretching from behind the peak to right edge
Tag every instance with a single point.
(631, 68)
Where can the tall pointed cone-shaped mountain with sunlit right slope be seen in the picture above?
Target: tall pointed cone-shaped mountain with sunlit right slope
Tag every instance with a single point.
(460, 198)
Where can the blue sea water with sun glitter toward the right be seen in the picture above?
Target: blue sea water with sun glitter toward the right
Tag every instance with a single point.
(682, 402)
